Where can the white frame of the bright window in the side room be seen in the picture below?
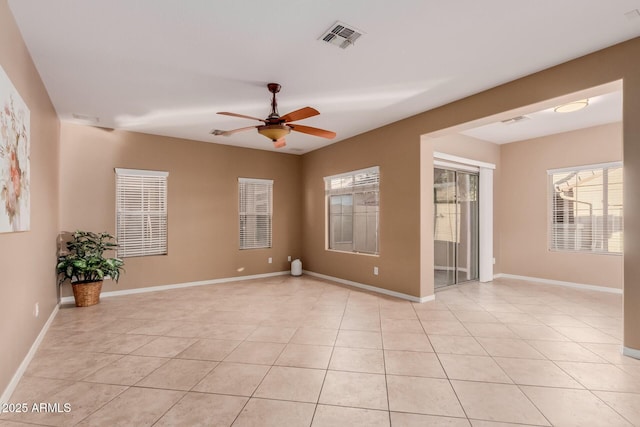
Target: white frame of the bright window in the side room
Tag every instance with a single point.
(553, 214)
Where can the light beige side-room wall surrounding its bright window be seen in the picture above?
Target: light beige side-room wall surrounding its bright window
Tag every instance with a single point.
(523, 214)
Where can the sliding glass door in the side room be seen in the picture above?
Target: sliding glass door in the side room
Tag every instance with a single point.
(455, 226)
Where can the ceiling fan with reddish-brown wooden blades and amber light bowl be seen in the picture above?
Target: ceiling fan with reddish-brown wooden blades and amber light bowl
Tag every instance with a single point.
(276, 127)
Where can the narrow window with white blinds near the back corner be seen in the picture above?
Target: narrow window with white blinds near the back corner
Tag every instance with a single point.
(255, 209)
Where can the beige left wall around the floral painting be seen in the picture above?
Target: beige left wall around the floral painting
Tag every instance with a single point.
(27, 259)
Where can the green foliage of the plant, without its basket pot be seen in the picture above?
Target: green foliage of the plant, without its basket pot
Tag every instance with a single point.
(84, 261)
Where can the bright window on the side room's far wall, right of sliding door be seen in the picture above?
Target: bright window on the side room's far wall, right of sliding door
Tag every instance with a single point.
(586, 209)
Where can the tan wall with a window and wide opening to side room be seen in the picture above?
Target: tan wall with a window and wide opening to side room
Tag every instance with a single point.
(406, 252)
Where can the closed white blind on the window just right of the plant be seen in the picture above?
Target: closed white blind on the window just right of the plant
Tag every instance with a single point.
(141, 212)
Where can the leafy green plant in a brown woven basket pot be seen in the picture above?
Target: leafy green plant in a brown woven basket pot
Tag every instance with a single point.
(85, 266)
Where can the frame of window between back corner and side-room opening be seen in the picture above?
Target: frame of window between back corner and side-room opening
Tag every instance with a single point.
(346, 184)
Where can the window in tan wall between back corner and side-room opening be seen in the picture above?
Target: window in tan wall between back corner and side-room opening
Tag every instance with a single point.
(353, 205)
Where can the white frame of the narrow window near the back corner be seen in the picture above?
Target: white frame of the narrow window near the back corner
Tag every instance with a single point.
(255, 241)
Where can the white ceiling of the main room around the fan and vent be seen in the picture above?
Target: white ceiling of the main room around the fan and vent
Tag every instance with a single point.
(166, 67)
